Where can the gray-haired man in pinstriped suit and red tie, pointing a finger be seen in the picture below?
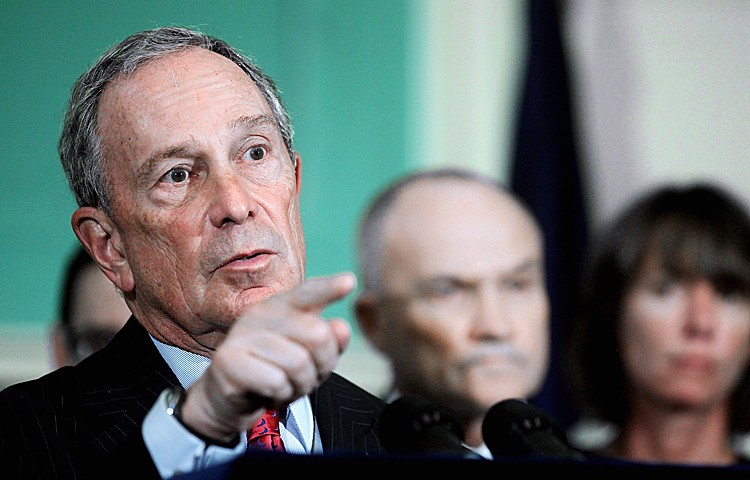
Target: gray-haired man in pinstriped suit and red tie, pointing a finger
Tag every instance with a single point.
(179, 152)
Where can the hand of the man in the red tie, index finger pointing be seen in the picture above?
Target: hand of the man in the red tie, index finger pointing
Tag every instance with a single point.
(277, 351)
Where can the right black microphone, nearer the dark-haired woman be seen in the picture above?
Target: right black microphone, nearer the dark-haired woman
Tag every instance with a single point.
(515, 427)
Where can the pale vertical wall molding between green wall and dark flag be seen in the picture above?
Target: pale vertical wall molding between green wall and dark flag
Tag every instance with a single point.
(465, 82)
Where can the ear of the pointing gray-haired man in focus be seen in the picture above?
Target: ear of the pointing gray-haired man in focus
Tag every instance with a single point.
(100, 237)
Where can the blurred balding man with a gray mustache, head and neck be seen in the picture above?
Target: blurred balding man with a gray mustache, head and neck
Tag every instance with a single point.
(454, 293)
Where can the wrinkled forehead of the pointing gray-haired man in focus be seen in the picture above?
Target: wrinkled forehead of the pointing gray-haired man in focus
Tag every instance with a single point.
(189, 96)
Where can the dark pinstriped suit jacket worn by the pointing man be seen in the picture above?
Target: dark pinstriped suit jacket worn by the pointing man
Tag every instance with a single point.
(85, 421)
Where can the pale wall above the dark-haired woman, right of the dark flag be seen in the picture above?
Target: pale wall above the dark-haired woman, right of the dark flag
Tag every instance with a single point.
(663, 89)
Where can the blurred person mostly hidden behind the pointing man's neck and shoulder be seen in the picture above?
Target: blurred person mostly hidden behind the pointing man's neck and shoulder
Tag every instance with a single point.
(92, 310)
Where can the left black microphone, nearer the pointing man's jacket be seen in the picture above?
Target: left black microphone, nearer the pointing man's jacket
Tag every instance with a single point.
(411, 424)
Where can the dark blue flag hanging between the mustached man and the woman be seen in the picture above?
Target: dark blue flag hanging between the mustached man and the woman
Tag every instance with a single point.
(545, 173)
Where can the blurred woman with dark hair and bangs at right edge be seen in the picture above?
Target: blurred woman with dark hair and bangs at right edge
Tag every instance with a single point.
(660, 348)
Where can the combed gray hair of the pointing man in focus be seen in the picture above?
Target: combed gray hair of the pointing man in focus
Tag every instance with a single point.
(80, 146)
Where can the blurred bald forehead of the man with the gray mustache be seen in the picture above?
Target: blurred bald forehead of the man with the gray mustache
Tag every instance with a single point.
(461, 226)
